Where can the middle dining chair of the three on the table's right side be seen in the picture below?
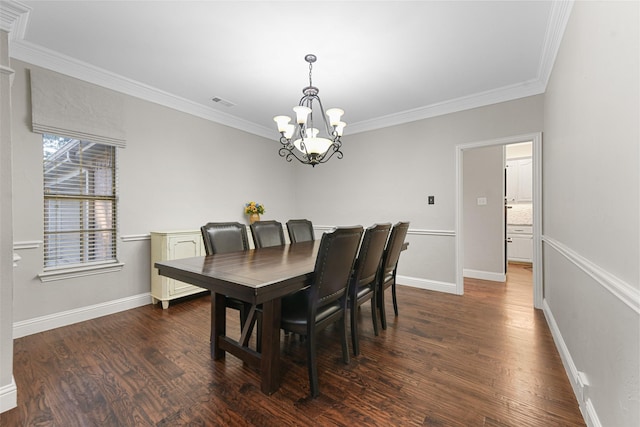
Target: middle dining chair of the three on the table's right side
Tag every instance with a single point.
(364, 280)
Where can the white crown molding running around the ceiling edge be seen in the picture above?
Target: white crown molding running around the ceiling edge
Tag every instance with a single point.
(15, 17)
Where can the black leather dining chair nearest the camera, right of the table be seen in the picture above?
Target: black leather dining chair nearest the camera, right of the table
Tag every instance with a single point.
(324, 302)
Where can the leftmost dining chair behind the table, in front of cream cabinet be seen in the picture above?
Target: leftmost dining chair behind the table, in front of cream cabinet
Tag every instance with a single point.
(223, 237)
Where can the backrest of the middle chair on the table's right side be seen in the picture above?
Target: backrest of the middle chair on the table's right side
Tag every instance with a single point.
(369, 256)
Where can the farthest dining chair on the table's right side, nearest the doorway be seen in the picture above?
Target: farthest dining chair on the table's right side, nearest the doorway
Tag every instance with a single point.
(388, 268)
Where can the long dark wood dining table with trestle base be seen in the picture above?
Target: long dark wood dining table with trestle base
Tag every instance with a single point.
(260, 277)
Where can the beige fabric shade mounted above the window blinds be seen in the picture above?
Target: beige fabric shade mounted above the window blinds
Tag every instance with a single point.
(62, 105)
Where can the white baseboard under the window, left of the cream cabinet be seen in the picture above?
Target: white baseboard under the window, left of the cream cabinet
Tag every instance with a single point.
(56, 320)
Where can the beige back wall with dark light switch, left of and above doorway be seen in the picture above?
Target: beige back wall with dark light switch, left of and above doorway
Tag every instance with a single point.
(387, 174)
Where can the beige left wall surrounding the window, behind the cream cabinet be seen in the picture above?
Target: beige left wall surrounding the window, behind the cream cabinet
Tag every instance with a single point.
(177, 172)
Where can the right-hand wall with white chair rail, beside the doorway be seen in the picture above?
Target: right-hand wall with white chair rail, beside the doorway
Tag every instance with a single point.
(591, 164)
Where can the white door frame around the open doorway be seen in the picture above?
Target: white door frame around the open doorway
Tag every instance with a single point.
(536, 154)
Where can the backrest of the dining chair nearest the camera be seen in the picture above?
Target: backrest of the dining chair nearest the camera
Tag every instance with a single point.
(334, 265)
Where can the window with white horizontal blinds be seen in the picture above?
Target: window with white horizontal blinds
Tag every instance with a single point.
(79, 202)
